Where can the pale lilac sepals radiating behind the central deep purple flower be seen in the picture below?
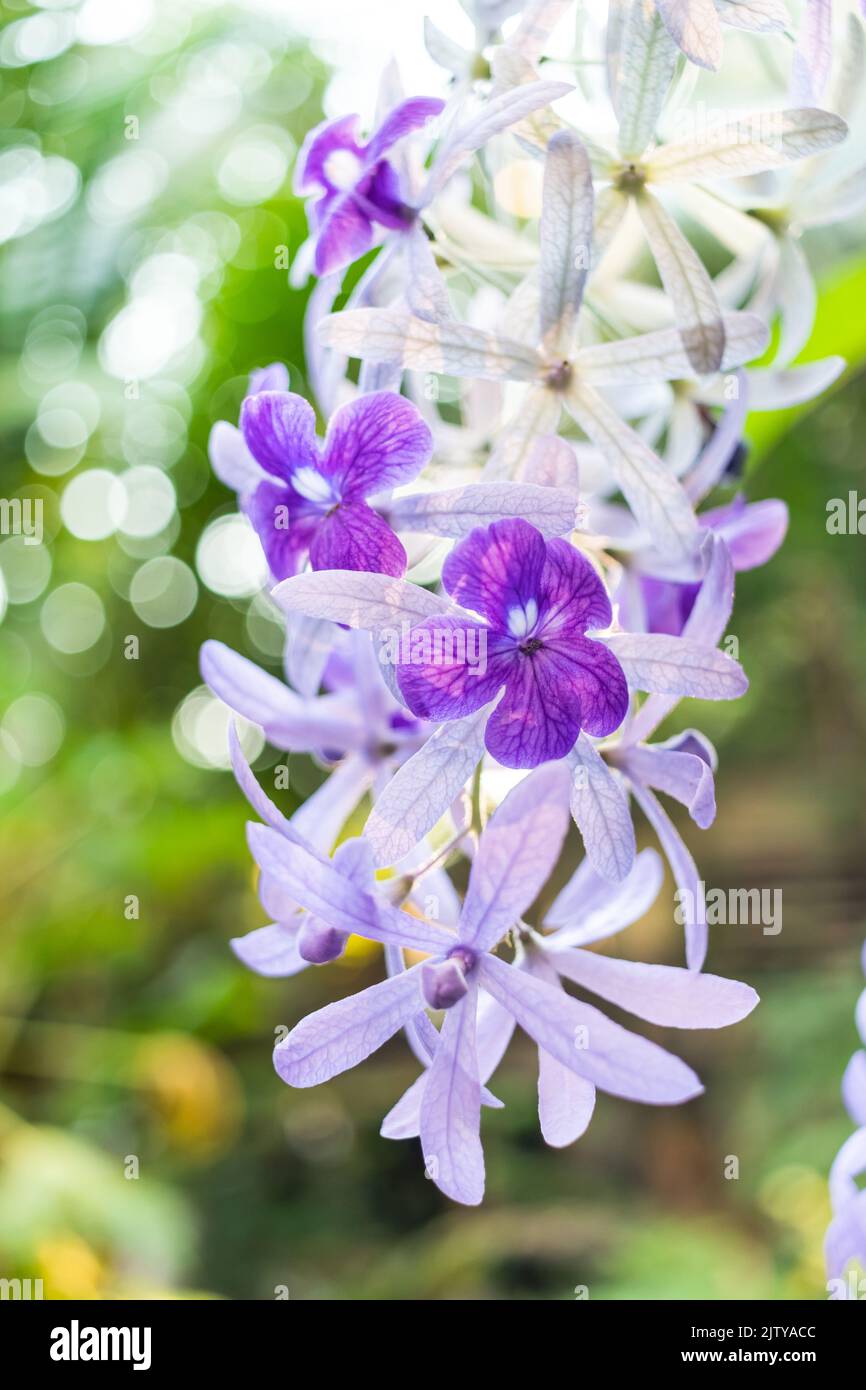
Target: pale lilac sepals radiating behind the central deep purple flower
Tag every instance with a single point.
(426, 786)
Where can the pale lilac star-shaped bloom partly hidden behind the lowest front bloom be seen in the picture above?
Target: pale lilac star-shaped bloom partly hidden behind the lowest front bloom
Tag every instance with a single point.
(587, 911)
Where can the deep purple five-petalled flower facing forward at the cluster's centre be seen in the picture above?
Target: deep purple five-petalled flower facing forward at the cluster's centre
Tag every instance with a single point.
(537, 600)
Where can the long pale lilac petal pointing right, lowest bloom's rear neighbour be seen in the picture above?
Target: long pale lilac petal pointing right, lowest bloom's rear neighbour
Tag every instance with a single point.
(664, 995)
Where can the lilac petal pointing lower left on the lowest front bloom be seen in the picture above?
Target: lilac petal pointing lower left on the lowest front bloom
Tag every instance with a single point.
(343, 1035)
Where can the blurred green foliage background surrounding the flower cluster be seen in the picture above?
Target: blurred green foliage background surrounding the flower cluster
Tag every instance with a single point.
(144, 1046)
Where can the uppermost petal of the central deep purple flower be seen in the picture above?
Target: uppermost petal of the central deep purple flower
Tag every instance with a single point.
(497, 571)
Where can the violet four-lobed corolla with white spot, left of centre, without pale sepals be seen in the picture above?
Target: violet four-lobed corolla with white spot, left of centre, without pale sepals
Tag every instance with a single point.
(309, 500)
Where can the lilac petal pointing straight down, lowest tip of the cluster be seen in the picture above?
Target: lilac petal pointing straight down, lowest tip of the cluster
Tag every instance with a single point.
(451, 1110)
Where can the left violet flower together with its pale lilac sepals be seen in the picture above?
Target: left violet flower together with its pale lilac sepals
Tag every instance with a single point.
(309, 501)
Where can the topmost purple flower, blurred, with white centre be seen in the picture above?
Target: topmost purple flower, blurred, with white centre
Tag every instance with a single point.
(358, 187)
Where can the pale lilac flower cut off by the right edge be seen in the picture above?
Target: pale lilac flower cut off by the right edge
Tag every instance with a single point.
(846, 1241)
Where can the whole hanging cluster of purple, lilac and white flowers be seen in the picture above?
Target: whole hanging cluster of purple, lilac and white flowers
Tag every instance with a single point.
(497, 571)
